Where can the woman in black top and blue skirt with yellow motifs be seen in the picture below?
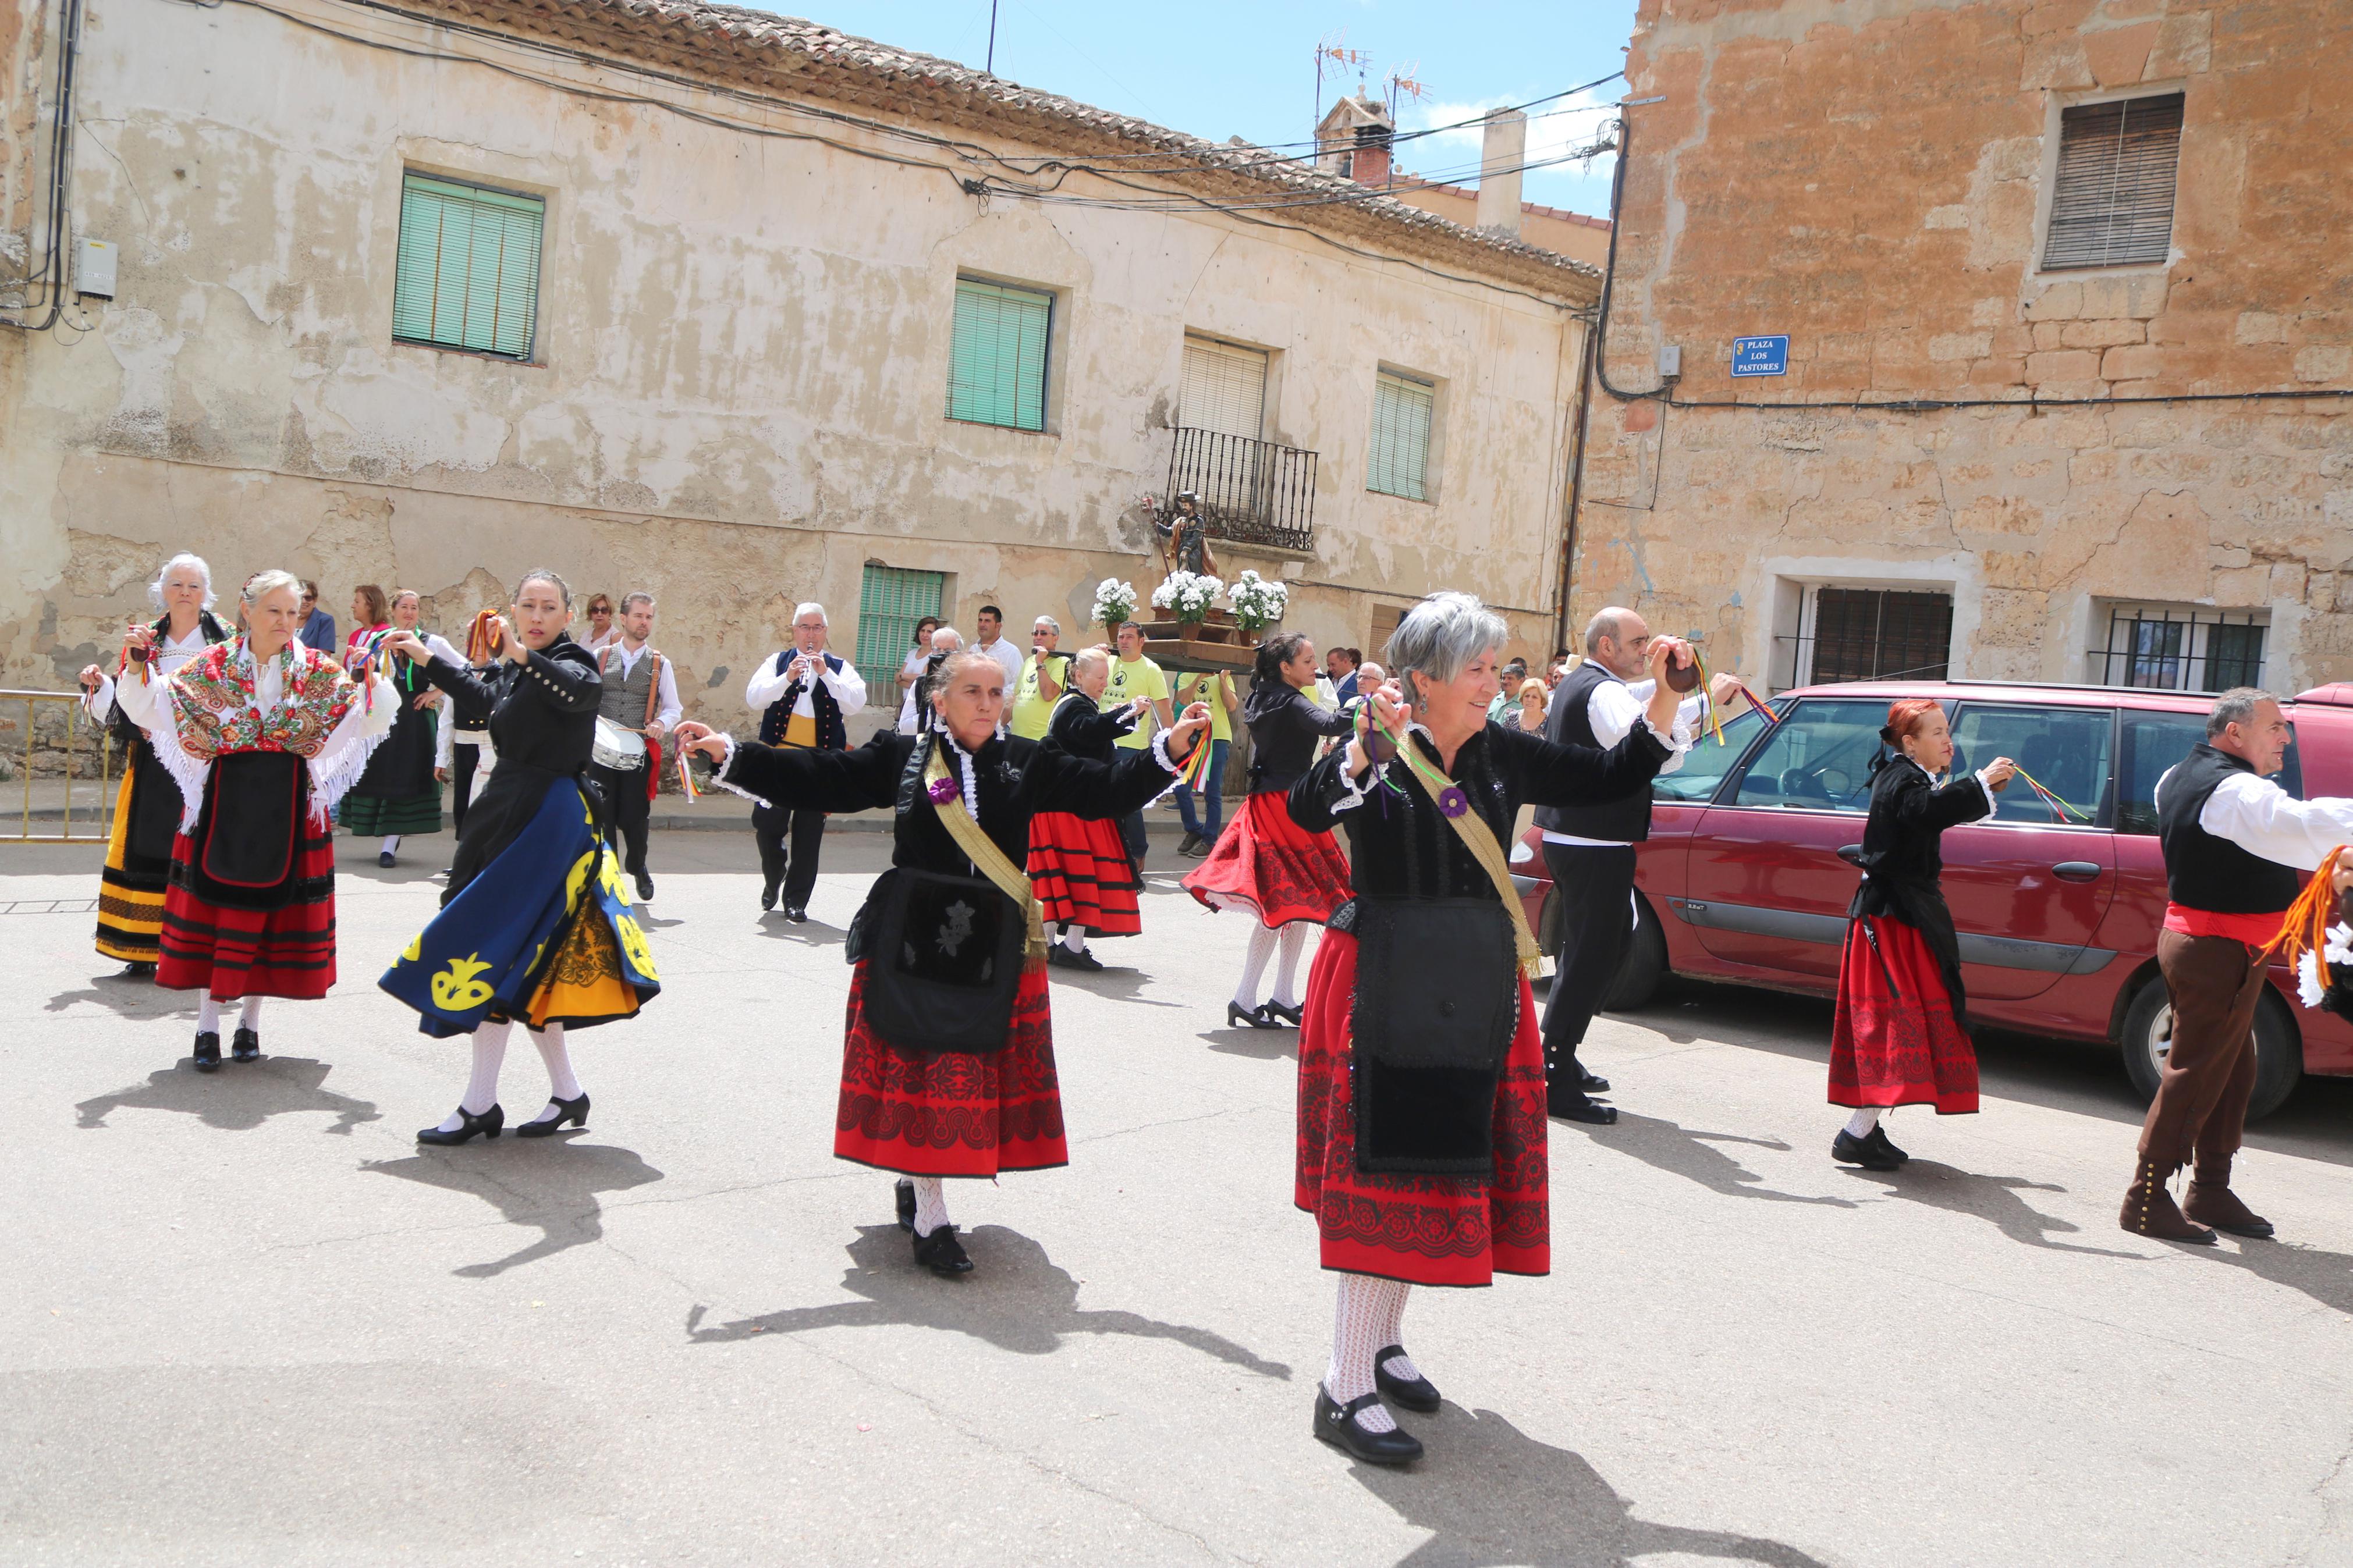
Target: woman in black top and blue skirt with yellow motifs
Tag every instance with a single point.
(524, 932)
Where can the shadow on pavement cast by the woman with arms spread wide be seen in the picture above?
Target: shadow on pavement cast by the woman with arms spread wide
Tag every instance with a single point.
(1018, 1301)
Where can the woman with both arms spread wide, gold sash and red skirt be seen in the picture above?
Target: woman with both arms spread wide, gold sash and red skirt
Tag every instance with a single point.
(949, 1043)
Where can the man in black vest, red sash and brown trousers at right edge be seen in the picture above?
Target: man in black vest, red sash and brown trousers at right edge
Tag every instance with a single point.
(2234, 845)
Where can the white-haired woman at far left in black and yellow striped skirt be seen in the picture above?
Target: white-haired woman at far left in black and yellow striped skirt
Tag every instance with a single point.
(147, 808)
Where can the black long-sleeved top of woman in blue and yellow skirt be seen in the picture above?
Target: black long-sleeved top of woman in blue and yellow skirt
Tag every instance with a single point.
(540, 718)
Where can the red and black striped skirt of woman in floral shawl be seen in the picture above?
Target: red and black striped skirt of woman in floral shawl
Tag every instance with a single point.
(253, 953)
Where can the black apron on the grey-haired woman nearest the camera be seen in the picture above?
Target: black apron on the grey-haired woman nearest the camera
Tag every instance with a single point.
(1437, 1007)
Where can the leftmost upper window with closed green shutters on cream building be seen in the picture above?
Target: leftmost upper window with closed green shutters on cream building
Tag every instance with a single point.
(469, 267)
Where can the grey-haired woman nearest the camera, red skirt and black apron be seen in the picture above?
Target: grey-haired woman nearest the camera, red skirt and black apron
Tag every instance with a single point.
(1420, 1068)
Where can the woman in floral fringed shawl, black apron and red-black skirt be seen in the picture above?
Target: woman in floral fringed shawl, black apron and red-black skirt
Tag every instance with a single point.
(262, 737)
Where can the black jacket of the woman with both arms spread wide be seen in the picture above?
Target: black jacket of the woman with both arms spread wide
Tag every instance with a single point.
(1018, 779)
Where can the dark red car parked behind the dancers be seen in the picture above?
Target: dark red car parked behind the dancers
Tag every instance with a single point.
(1747, 878)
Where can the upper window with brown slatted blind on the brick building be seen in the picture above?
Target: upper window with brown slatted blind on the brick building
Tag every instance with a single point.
(2114, 196)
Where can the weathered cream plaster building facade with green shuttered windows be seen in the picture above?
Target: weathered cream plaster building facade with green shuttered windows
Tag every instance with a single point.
(740, 373)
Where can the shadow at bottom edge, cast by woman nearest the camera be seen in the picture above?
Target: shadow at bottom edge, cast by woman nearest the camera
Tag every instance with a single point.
(1491, 1494)
